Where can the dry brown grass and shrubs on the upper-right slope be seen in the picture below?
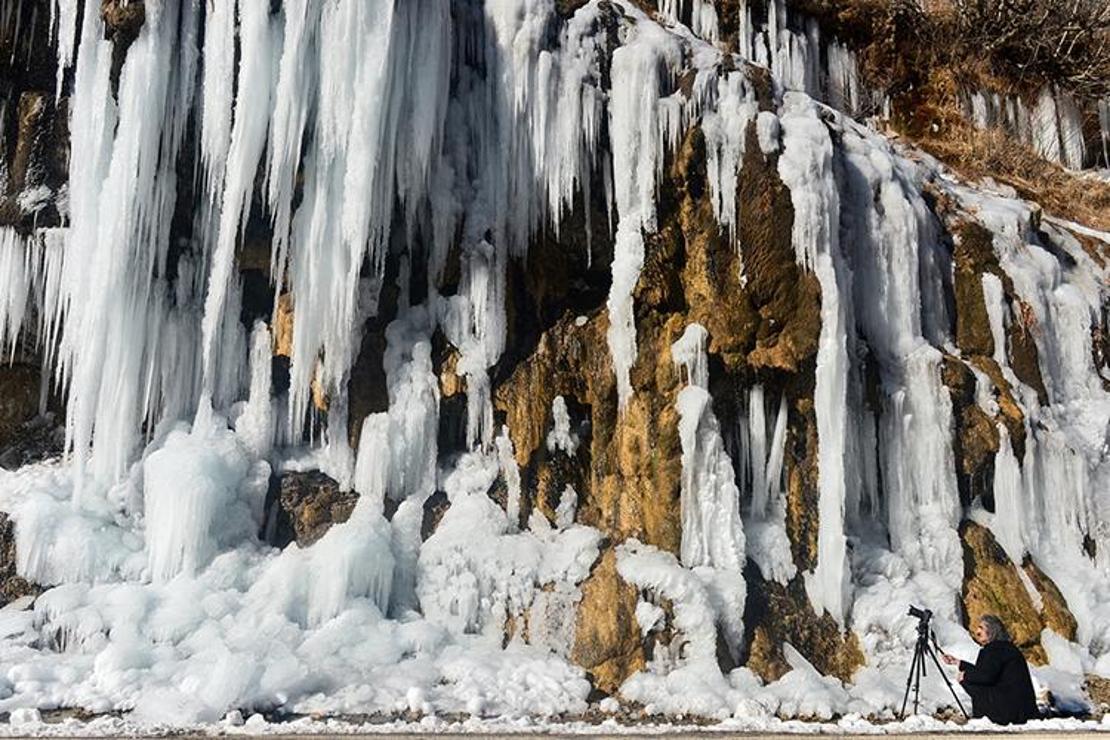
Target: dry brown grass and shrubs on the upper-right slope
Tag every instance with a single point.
(924, 56)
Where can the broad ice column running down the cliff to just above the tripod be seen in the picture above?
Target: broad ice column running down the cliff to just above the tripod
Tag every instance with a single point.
(891, 238)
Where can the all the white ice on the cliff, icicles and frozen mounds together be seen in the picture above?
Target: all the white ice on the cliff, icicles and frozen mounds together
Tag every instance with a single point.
(390, 145)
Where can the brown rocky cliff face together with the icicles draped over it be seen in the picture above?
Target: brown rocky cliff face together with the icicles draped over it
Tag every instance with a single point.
(583, 329)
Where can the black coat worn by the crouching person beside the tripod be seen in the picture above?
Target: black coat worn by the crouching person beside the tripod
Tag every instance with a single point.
(1000, 685)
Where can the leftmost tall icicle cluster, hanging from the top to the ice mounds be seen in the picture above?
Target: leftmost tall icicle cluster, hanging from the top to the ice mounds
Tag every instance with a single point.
(122, 200)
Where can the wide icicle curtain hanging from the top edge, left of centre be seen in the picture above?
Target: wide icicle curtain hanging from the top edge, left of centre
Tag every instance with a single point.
(372, 84)
